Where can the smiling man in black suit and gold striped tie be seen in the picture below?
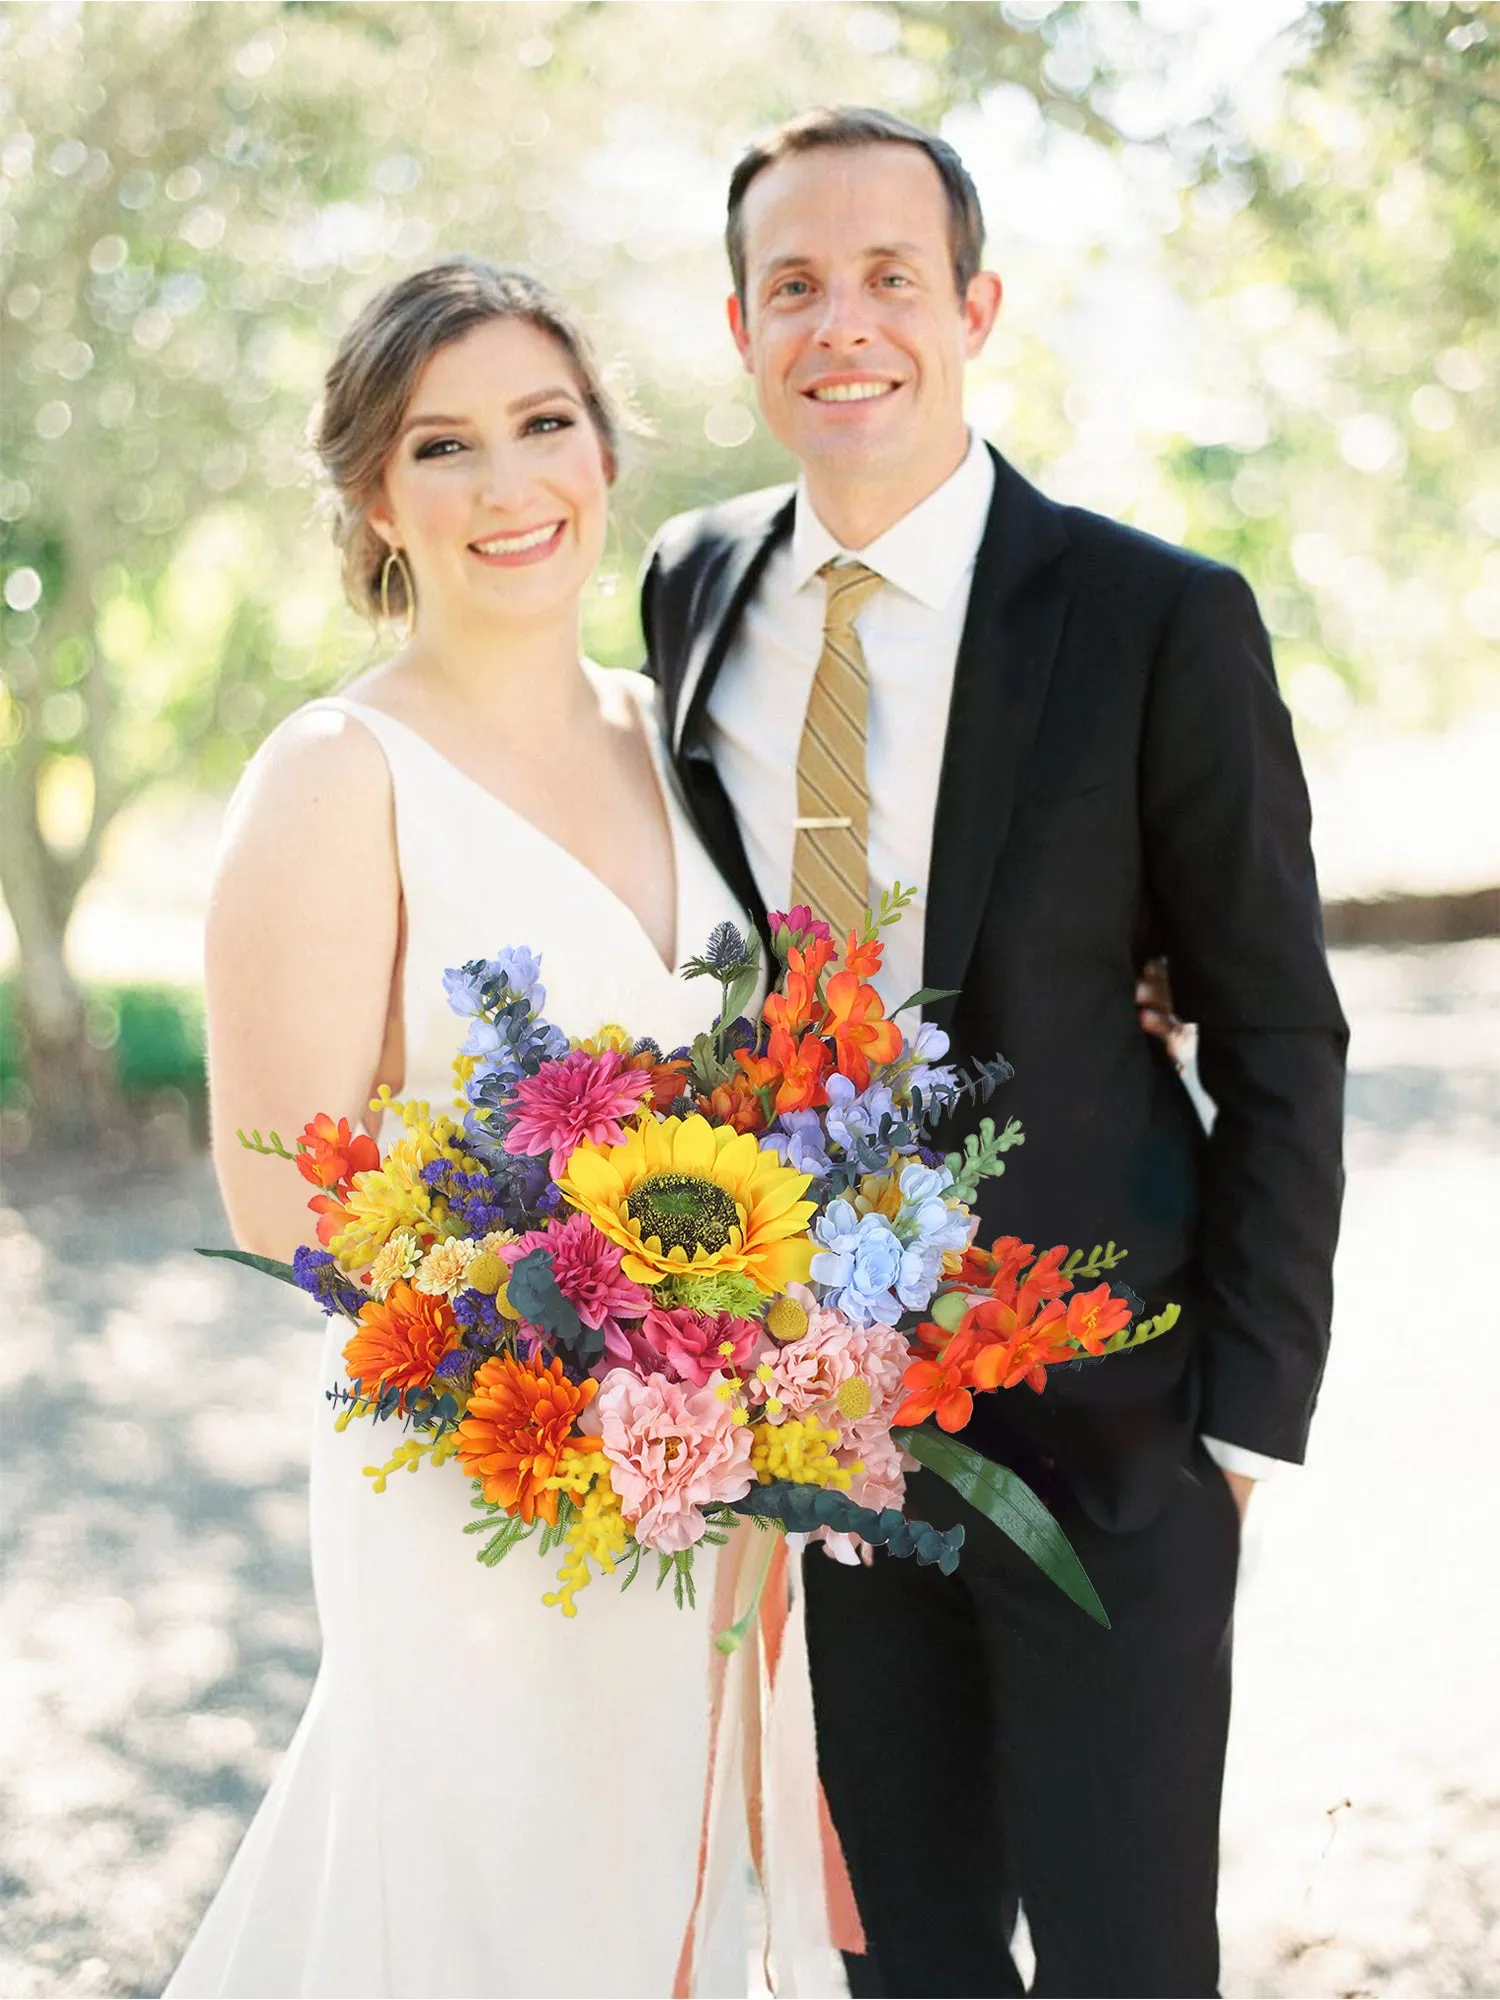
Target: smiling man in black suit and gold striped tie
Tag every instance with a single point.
(915, 667)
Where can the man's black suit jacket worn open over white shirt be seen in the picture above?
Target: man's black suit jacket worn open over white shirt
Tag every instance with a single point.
(1119, 779)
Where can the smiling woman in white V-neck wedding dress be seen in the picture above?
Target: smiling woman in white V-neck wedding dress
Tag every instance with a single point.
(483, 1797)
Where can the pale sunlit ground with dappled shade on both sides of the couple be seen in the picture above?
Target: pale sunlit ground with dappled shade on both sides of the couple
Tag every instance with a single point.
(161, 1639)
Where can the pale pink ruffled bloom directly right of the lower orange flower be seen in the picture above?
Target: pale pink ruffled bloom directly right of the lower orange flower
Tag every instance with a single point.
(673, 1451)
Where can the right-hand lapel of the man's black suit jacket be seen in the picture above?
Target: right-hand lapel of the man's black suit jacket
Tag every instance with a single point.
(1011, 637)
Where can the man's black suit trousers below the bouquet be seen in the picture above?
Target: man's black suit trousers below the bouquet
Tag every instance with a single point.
(985, 1745)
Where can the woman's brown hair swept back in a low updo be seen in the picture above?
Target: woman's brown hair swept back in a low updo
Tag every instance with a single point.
(369, 391)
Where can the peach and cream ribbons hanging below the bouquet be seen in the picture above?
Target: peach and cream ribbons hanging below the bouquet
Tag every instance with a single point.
(777, 1761)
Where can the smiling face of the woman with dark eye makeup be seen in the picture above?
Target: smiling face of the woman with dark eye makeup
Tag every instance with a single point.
(497, 491)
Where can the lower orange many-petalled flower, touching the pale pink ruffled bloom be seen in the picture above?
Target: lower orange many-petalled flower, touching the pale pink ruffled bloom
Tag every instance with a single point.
(519, 1431)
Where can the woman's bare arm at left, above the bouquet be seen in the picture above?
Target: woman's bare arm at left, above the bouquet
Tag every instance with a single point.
(301, 955)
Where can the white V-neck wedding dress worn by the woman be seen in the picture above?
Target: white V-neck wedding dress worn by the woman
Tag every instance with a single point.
(483, 1795)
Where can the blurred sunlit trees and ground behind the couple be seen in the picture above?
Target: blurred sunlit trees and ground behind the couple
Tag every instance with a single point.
(1251, 305)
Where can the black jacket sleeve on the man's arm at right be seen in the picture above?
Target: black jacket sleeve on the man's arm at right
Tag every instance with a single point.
(1231, 877)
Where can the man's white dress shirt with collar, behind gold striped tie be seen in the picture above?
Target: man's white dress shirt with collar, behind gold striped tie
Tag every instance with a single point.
(911, 635)
